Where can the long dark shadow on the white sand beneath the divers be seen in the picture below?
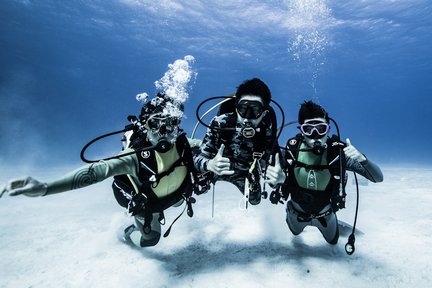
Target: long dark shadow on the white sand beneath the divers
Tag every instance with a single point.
(200, 258)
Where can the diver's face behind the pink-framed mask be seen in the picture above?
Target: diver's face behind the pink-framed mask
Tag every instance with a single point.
(315, 131)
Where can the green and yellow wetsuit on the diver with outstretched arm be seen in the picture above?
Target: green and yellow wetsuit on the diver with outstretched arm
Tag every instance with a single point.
(130, 165)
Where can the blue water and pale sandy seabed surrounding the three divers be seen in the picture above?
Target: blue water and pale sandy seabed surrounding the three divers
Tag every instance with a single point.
(71, 71)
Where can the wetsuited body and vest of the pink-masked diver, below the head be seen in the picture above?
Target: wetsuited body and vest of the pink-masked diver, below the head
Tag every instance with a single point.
(310, 190)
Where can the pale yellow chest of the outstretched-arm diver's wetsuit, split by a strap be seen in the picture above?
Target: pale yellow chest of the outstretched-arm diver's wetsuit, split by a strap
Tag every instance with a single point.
(170, 183)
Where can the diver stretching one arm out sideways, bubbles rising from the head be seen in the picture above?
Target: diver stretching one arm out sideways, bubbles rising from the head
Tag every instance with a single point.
(153, 172)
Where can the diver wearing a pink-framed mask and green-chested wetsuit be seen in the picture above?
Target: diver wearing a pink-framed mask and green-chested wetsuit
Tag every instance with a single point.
(316, 167)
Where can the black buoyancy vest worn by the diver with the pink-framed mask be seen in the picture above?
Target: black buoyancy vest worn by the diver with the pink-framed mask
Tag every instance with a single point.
(310, 200)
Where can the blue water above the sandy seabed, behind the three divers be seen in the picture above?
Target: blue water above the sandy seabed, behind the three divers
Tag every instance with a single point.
(70, 70)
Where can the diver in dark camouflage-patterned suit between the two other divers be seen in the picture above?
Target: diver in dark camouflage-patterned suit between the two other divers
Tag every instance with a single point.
(239, 142)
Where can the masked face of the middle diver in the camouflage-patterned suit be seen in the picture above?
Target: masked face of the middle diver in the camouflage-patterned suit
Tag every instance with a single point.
(250, 109)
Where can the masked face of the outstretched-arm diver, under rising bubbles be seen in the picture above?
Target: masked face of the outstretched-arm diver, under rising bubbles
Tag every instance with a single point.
(162, 127)
